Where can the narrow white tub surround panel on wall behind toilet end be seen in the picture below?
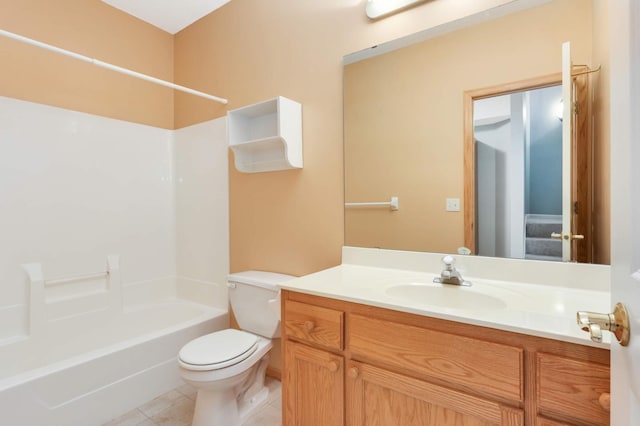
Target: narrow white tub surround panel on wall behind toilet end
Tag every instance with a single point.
(202, 204)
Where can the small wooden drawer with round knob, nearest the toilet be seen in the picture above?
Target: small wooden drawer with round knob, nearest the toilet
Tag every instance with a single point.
(314, 324)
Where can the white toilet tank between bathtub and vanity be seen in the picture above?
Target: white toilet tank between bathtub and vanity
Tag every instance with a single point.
(250, 293)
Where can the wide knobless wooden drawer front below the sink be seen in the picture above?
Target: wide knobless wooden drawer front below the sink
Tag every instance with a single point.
(484, 367)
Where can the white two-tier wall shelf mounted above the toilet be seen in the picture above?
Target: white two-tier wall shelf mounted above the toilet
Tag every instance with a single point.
(266, 136)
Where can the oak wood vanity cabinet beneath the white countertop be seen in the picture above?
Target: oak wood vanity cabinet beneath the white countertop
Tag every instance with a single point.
(352, 364)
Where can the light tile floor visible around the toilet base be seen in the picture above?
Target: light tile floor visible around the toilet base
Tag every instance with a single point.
(175, 408)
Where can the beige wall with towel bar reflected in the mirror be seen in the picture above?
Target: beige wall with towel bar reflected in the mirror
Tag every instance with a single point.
(404, 123)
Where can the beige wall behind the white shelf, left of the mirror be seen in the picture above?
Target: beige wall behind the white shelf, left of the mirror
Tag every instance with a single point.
(251, 50)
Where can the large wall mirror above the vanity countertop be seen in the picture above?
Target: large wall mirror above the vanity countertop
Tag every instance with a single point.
(413, 112)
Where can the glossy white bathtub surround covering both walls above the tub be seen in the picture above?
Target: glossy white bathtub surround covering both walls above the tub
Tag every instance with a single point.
(78, 187)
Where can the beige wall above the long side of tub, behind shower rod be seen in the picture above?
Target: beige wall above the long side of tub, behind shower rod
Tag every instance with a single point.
(90, 28)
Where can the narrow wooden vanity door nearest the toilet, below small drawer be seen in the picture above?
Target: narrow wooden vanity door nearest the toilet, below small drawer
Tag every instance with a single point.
(313, 387)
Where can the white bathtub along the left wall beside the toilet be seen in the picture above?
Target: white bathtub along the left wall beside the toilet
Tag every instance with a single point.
(85, 369)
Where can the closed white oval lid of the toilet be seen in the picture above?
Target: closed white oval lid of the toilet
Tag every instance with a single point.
(219, 349)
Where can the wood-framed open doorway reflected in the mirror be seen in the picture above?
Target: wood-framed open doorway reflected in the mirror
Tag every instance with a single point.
(514, 139)
